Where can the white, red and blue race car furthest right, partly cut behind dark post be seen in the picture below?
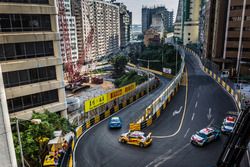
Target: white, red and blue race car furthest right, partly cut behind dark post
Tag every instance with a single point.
(228, 124)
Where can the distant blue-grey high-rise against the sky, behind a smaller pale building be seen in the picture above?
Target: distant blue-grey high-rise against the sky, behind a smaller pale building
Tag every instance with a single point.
(147, 15)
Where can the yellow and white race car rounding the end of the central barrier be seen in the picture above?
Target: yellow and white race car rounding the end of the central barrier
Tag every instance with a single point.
(136, 138)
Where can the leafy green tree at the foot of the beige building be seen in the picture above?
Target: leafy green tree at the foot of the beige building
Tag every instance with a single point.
(33, 136)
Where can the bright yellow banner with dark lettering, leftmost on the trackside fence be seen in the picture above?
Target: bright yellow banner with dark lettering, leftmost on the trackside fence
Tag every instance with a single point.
(95, 102)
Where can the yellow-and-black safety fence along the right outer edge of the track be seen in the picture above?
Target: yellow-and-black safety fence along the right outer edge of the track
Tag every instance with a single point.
(228, 87)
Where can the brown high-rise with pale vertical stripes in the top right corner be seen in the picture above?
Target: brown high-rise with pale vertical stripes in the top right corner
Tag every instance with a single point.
(230, 38)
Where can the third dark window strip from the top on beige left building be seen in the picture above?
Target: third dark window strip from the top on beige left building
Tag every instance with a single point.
(26, 50)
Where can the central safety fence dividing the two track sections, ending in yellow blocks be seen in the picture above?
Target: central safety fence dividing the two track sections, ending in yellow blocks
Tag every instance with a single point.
(153, 111)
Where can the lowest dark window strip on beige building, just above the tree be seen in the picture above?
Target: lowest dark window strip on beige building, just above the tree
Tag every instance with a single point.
(33, 100)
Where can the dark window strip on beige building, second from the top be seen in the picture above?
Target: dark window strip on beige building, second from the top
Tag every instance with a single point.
(24, 22)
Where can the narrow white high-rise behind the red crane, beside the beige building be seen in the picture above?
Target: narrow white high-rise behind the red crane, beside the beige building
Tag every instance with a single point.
(71, 23)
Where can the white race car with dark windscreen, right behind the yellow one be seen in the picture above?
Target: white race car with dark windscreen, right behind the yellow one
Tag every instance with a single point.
(205, 136)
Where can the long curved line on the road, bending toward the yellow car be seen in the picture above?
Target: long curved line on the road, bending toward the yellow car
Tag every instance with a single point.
(183, 114)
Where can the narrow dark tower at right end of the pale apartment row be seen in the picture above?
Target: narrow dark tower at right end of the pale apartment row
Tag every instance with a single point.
(125, 24)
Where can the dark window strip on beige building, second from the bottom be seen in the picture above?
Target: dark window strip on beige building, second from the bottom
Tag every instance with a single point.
(29, 76)
